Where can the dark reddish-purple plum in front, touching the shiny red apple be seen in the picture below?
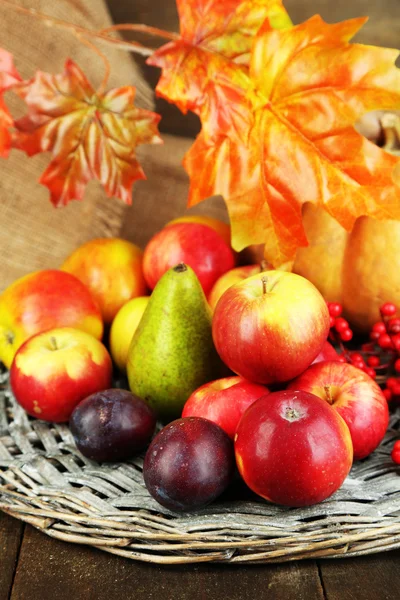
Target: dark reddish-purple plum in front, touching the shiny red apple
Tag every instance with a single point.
(188, 464)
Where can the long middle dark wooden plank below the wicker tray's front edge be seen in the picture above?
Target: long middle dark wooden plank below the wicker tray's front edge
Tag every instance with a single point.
(52, 570)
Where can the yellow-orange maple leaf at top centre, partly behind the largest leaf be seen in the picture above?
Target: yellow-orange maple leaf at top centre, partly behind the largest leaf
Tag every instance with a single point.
(214, 35)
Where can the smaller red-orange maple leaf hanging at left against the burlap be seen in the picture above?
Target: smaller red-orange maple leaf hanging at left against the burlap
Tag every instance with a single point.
(90, 136)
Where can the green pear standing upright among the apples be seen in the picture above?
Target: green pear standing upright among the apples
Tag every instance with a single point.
(172, 352)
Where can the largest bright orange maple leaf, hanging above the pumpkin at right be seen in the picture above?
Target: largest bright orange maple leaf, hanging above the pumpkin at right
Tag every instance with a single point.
(286, 133)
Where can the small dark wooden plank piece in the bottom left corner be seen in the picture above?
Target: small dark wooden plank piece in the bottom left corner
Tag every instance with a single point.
(10, 541)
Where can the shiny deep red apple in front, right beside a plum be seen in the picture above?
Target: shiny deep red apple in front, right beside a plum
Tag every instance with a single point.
(293, 449)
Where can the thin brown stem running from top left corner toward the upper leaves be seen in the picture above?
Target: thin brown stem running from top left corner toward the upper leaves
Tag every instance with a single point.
(83, 32)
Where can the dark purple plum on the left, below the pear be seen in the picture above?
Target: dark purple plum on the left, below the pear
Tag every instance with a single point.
(112, 425)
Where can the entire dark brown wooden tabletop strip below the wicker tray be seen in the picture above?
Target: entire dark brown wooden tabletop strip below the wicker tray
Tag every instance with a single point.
(36, 567)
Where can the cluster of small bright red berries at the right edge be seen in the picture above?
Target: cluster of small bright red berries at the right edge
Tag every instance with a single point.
(379, 358)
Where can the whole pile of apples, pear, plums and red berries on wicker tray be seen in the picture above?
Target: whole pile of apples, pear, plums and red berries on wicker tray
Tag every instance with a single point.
(235, 361)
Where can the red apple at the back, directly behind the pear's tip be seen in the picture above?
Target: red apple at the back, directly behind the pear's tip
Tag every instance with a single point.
(194, 244)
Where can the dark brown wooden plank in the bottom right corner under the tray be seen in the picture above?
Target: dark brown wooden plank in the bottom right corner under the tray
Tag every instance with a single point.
(374, 577)
